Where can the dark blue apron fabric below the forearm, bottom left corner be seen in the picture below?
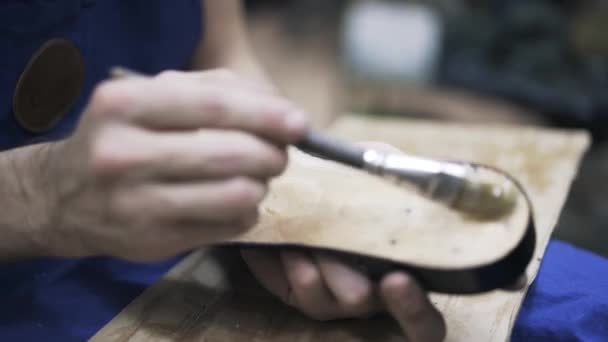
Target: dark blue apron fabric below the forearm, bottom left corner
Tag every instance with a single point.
(68, 300)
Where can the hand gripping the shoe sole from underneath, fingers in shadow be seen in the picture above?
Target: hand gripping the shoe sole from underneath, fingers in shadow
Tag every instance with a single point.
(324, 289)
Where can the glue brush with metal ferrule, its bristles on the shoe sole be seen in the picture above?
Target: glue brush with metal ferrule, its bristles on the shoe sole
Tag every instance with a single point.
(479, 193)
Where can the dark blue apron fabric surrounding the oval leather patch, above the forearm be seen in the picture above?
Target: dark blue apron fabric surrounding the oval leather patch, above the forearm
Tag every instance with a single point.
(146, 35)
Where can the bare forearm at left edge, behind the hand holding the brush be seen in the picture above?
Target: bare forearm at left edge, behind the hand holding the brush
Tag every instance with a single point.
(23, 202)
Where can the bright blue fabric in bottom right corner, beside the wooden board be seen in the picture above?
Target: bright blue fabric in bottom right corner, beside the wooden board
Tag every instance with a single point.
(569, 300)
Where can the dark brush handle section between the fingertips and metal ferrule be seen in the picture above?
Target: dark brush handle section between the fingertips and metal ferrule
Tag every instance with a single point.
(324, 146)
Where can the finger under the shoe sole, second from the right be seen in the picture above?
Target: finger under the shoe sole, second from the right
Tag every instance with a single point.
(352, 290)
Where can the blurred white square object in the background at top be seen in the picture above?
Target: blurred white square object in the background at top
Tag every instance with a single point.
(394, 41)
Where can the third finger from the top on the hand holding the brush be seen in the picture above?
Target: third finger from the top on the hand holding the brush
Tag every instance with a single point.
(211, 202)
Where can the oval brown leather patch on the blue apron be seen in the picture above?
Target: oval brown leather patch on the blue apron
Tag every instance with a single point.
(49, 86)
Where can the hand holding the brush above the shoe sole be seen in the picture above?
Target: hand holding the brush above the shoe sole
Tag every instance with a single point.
(162, 165)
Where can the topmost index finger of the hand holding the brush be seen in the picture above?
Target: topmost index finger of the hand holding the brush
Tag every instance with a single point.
(186, 104)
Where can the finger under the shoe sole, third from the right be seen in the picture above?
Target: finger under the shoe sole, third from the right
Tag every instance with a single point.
(308, 292)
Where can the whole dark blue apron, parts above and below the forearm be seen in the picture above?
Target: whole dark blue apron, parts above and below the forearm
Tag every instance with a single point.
(61, 299)
